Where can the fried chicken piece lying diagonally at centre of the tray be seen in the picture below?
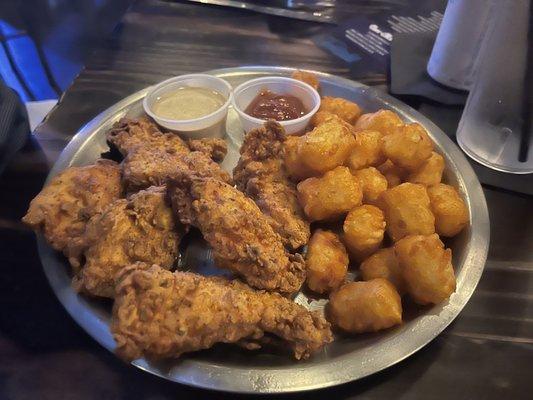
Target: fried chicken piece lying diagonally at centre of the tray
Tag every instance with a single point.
(239, 233)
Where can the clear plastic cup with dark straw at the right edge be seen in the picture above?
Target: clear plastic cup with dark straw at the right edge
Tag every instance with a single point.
(491, 128)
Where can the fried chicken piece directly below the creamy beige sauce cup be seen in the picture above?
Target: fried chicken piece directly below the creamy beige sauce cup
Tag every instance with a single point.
(152, 156)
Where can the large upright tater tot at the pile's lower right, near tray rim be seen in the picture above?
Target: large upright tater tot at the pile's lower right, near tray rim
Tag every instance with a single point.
(426, 268)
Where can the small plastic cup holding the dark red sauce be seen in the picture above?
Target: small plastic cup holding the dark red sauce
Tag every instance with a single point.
(245, 93)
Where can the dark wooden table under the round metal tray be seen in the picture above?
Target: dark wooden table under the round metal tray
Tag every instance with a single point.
(487, 353)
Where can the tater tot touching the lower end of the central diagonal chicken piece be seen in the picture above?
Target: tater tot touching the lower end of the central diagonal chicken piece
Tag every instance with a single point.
(326, 261)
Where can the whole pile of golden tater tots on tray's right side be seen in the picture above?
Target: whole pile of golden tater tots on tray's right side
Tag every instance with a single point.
(372, 186)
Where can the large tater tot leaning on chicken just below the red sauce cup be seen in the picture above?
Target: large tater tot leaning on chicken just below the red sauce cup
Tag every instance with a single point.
(324, 148)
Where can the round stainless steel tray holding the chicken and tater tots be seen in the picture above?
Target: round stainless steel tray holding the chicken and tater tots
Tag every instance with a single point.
(347, 358)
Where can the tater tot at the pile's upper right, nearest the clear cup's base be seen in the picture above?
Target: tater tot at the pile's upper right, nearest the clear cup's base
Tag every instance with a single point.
(409, 147)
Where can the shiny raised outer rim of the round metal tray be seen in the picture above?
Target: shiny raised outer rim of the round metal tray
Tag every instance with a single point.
(250, 381)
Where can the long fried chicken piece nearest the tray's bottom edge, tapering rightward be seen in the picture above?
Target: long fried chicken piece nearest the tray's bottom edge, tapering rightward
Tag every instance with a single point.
(160, 314)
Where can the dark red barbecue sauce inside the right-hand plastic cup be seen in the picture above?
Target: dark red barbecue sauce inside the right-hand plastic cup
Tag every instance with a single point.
(280, 107)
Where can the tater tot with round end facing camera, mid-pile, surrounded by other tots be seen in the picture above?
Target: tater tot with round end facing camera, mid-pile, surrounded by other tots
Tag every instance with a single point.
(364, 228)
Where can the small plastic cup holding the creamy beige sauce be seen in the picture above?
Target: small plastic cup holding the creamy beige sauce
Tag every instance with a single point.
(210, 125)
